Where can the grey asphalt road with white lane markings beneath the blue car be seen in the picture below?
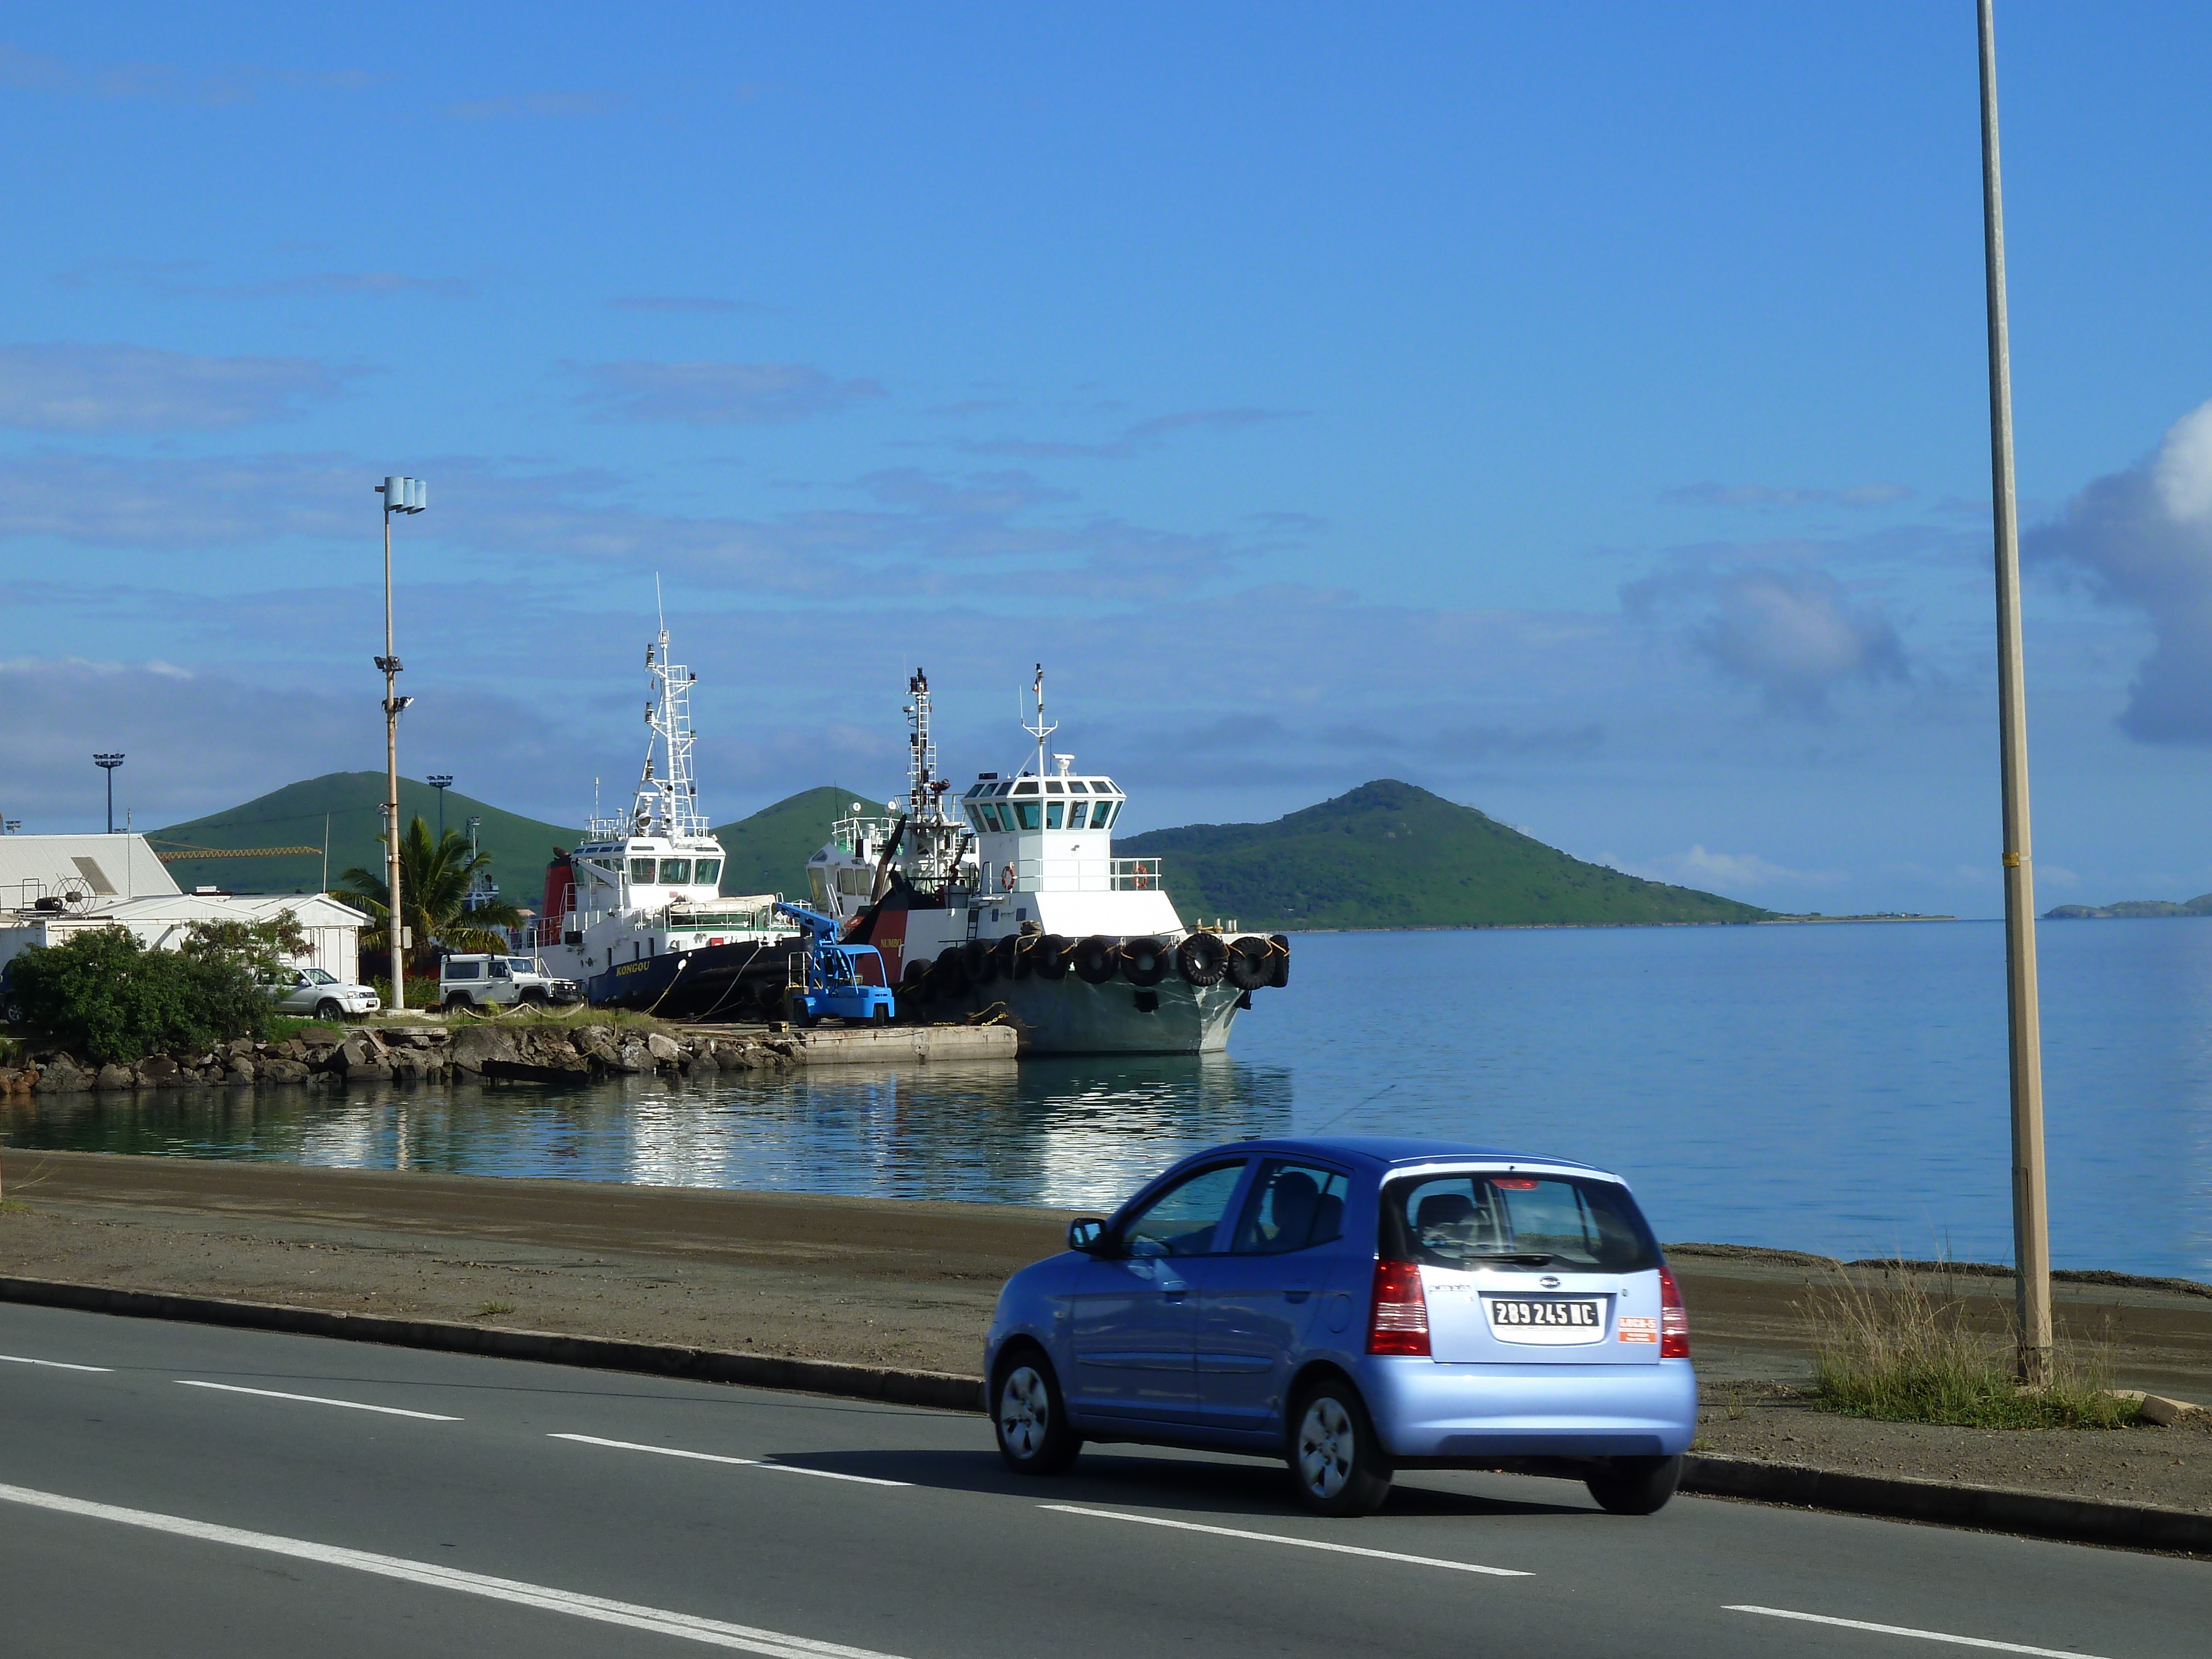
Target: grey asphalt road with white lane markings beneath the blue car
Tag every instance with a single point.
(174, 1499)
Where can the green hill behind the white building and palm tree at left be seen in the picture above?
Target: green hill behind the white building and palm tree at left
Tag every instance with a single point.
(351, 802)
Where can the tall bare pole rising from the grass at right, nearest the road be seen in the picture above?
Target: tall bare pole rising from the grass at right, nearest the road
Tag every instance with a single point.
(2032, 1211)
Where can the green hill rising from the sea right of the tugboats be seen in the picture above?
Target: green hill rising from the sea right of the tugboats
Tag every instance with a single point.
(1390, 855)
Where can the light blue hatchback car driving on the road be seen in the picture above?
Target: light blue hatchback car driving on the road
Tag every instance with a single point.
(1359, 1306)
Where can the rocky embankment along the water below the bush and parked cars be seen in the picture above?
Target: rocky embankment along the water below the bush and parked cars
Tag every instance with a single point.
(324, 1056)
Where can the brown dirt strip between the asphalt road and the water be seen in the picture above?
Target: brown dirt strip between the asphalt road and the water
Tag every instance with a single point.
(912, 1284)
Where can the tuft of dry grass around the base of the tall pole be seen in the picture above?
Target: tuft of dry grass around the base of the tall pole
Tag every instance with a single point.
(1912, 1350)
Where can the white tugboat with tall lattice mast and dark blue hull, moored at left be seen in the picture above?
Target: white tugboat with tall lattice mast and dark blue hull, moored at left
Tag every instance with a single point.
(636, 915)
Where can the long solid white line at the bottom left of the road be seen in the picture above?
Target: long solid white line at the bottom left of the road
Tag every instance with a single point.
(534, 1596)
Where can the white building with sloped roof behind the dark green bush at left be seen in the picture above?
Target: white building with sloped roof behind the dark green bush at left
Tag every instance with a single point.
(61, 886)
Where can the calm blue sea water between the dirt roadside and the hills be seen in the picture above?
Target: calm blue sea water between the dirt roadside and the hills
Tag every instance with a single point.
(1833, 1089)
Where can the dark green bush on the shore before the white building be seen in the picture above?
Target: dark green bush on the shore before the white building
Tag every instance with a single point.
(109, 999)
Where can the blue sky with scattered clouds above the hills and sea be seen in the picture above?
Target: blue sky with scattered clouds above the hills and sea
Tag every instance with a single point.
(1578, 413)
